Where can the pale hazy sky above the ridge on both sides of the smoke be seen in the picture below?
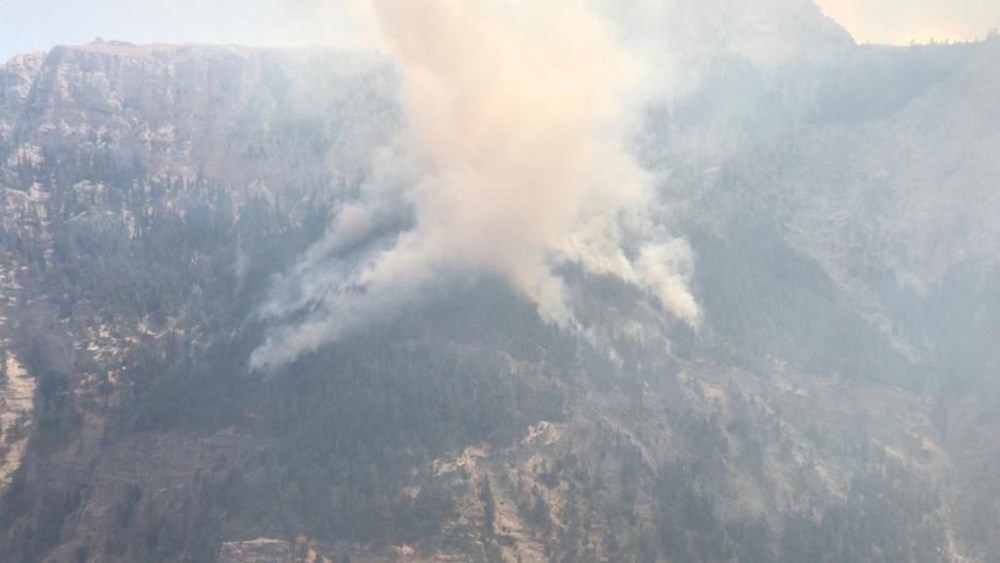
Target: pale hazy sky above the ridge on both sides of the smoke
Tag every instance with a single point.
(37, 25)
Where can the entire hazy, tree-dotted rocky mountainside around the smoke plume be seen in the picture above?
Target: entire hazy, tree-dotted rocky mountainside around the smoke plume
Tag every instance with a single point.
(837, 405)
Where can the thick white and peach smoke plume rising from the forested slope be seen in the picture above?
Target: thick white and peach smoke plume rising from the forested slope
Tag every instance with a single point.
(513, 160)
